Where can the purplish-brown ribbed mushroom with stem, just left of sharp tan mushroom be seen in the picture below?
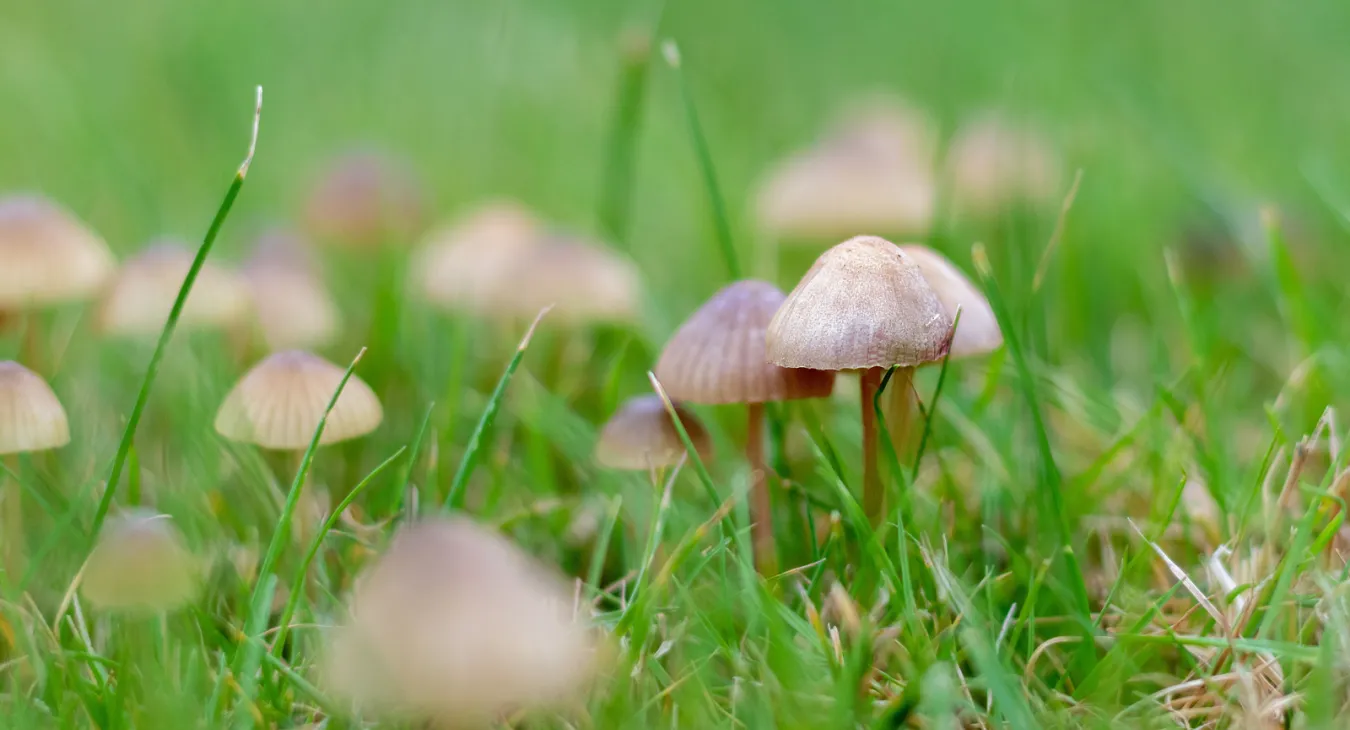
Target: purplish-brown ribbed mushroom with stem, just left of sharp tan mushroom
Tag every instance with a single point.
(718, 357)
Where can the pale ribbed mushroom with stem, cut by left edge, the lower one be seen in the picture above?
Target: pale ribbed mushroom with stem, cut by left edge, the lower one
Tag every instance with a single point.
(32, 420)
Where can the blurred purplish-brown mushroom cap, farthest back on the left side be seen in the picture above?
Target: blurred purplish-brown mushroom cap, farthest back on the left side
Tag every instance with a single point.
(365, 200)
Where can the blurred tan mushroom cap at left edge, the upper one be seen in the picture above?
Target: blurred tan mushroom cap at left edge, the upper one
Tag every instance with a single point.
(47, 256)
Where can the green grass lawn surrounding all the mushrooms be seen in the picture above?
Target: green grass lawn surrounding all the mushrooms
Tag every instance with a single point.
(1131, 517)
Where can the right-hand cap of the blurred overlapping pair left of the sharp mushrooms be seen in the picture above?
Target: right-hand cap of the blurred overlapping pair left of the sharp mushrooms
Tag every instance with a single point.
(584, 281)
